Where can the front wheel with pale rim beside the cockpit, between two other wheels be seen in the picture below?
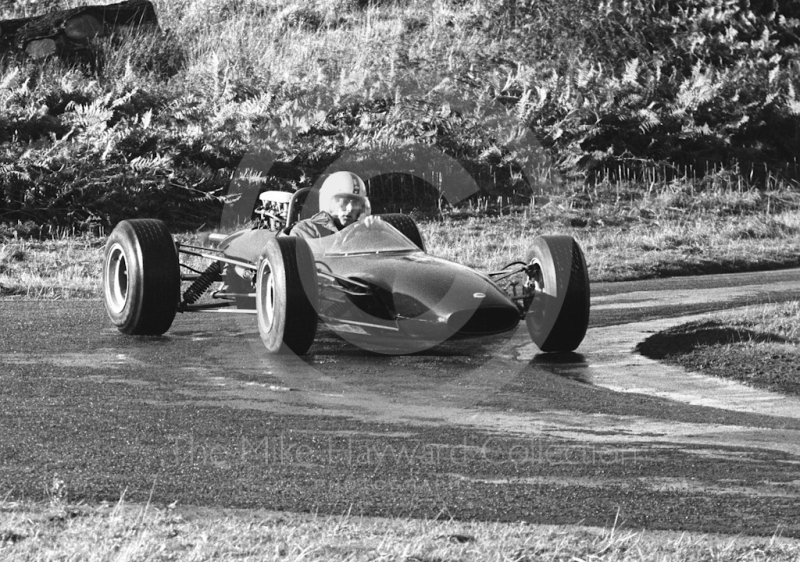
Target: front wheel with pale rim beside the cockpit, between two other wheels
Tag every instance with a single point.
(287, 296)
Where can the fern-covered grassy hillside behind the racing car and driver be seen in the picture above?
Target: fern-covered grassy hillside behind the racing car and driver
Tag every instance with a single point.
(476, 97)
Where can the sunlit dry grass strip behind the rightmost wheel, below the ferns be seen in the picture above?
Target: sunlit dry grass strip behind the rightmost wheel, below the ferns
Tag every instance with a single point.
(618, 250)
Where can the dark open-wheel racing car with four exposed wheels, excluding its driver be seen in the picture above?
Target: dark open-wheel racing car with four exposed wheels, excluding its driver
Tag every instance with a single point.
(372, 283)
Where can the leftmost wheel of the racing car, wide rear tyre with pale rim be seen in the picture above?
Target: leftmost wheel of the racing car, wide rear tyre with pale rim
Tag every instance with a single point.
(141, 277)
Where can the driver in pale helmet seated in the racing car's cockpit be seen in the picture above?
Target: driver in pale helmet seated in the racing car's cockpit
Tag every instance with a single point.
(342, 201)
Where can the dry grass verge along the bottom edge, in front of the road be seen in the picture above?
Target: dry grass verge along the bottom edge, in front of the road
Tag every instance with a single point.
(145, 533)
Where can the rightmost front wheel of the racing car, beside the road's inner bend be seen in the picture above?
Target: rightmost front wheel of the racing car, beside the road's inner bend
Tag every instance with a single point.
(559, 314)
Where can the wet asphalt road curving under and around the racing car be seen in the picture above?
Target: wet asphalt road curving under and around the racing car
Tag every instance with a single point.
(489, 430)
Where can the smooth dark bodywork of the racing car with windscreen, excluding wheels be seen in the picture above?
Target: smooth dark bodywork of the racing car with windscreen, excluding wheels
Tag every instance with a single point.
(376, 285)
